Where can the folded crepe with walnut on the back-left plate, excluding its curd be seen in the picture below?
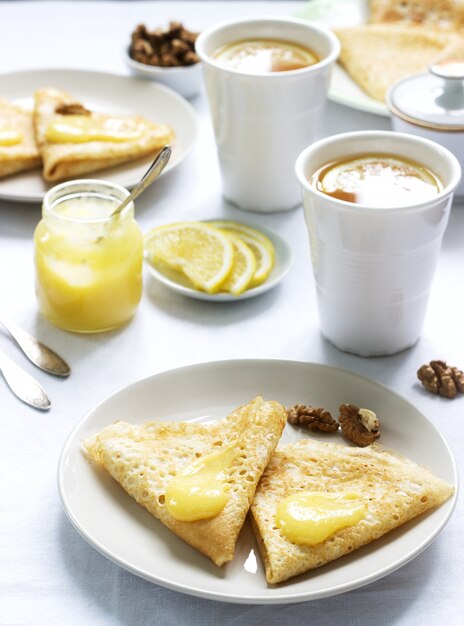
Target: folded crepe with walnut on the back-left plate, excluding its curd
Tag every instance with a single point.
(70, 159)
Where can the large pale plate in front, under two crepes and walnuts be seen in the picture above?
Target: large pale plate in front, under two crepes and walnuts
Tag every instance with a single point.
(128, 535)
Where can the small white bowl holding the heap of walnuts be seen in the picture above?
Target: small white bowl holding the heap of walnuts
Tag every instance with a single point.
(186, 79)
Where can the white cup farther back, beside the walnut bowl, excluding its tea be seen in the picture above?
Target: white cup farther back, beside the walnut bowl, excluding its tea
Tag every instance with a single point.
(263, 121)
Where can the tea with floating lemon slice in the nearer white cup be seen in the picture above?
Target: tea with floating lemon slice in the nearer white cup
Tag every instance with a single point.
(377, 180)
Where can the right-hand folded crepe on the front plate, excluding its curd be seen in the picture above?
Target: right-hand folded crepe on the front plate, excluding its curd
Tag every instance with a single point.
(393, 488)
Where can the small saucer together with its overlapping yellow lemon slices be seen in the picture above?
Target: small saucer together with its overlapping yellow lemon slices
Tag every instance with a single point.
(217, 260)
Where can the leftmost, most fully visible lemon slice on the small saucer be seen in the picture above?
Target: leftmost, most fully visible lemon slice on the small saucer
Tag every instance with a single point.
(202, 252)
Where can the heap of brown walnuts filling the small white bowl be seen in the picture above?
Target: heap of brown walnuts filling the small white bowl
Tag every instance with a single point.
(170, 47)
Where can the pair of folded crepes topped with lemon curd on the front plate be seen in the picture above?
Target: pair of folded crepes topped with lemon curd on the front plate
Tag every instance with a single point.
(201, 480)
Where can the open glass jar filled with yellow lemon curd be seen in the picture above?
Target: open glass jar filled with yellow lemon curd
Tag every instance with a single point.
(88, 264)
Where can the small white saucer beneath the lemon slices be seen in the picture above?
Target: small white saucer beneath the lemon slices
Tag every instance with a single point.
(177, 282)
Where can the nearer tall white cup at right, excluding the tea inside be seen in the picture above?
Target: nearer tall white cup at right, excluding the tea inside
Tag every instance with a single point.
(374, 267)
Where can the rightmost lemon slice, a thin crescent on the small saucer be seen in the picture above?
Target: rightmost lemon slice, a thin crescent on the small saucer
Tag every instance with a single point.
(260, 245)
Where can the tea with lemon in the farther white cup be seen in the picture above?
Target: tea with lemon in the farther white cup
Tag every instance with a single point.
(260, 56)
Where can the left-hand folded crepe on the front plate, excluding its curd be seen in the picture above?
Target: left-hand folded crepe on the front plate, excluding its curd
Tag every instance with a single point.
(145, 458)
